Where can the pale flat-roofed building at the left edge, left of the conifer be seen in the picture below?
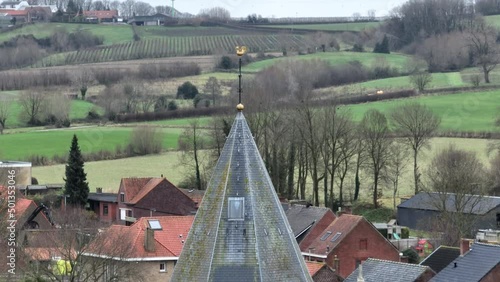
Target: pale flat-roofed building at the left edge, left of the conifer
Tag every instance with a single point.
(21, 175)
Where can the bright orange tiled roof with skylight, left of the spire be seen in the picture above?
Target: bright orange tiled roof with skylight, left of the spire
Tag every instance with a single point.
(169, 235)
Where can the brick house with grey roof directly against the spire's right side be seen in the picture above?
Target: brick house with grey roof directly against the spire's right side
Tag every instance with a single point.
(308, 222)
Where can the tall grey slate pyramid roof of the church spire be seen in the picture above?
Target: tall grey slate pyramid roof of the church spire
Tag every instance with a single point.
(240, 232)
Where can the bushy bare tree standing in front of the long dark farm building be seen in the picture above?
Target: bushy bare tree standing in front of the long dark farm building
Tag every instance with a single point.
(458, 179)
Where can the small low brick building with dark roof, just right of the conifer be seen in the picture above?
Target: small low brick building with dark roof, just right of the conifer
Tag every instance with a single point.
(104, 205)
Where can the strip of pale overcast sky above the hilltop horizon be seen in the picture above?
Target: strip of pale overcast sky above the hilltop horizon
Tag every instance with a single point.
(290, 8)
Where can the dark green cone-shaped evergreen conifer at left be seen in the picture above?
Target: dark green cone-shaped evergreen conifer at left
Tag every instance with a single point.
(76, 186)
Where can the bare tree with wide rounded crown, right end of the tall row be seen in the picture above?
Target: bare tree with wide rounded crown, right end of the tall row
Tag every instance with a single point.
(416, 123)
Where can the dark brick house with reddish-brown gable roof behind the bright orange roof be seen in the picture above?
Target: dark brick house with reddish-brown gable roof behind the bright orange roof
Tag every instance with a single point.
(141, 197)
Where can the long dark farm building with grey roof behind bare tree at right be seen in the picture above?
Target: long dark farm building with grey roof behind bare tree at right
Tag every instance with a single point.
(419, 211)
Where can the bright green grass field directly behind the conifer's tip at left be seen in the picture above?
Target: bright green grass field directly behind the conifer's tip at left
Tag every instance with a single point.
(48, 143)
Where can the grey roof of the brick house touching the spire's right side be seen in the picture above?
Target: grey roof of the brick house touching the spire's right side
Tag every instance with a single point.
(303, 217)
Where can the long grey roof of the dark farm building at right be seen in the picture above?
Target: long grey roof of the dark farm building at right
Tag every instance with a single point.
(433, 201)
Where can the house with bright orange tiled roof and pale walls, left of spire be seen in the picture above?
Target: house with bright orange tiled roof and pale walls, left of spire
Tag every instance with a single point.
(153, 246)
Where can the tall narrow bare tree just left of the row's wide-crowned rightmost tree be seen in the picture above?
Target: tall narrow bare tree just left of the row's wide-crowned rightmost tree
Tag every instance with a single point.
(375, 132)
